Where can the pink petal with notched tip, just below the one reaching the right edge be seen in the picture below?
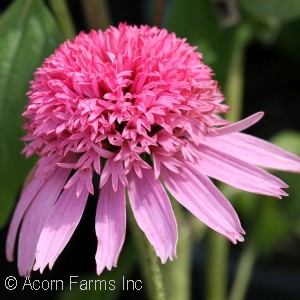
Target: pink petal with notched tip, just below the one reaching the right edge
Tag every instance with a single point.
(237, 173)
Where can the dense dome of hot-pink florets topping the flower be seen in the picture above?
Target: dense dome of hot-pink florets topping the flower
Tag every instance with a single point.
(120, 94)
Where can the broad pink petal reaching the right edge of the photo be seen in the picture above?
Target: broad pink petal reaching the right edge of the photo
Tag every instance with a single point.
(256, 151)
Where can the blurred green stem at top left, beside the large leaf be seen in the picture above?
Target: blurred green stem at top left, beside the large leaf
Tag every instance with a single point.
(63, 17)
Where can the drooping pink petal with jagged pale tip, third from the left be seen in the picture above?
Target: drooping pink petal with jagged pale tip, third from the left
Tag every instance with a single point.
(60, 226)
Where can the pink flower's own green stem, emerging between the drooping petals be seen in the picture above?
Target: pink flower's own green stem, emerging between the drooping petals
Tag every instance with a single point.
(148, 262)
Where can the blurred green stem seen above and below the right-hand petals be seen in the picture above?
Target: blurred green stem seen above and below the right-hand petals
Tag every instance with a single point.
(218, 246)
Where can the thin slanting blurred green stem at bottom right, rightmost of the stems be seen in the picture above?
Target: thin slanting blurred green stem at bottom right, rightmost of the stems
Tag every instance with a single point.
(243, 274)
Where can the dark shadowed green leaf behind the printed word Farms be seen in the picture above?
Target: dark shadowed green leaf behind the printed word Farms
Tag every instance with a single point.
(109, 284)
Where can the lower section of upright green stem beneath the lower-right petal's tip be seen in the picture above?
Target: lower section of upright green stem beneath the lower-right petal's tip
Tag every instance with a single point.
(216, 269)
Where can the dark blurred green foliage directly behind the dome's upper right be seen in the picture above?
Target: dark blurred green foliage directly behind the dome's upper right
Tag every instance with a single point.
(198, 22)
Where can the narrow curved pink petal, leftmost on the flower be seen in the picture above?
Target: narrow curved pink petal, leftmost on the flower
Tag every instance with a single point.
(26, 198)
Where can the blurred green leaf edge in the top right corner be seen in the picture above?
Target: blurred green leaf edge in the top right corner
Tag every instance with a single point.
(277, 9)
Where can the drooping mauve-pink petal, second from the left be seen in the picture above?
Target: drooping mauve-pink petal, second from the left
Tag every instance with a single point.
(36, 217)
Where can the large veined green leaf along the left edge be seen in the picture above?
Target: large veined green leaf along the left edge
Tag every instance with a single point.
(28, 34)
